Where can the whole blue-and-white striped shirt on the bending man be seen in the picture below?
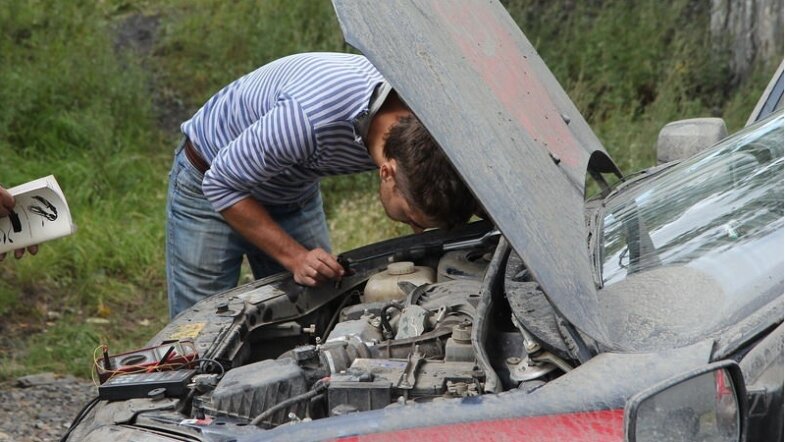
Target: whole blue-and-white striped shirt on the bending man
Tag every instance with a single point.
(274, 132)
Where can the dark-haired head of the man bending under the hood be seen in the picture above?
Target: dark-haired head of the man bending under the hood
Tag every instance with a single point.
(418, 185)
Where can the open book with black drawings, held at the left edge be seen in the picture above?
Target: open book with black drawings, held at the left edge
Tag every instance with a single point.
(40, 214)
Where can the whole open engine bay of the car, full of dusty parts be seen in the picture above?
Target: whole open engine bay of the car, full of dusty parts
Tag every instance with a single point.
(426, 318)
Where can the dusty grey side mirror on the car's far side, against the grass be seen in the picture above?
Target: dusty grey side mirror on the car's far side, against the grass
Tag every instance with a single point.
(684, 138)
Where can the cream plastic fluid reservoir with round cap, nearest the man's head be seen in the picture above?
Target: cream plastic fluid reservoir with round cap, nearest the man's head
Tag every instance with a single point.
(383, 286)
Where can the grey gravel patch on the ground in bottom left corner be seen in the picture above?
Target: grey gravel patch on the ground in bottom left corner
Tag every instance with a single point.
(41, 407)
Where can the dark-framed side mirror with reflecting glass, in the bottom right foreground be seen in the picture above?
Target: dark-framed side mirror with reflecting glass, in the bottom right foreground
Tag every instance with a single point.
(709, 403)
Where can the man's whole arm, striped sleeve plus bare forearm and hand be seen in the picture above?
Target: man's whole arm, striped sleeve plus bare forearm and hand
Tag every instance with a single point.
(281, 139)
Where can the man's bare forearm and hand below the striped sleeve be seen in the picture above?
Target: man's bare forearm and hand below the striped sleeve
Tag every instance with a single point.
(309, 267)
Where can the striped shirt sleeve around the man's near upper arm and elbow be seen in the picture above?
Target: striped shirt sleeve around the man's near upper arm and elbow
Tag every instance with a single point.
(281, 138)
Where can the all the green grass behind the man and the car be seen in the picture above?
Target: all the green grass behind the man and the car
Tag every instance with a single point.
(78, 106)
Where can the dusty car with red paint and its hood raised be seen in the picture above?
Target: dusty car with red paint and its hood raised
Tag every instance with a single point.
(652, 311)
